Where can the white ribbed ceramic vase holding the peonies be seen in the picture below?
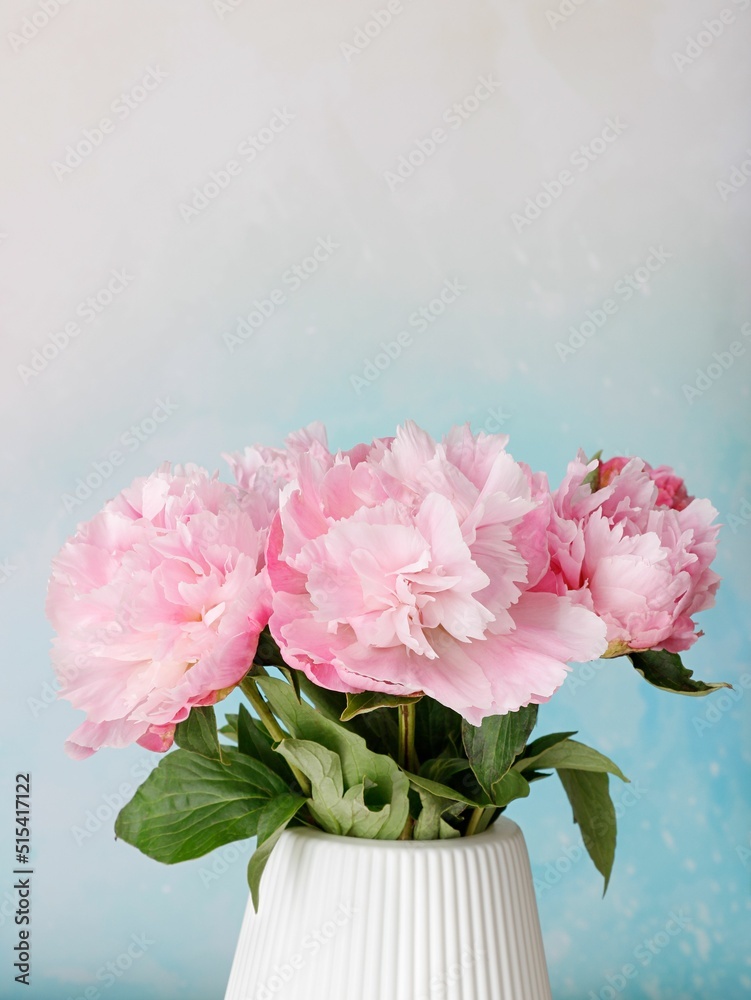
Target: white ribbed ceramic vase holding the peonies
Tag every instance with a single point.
(348, 919)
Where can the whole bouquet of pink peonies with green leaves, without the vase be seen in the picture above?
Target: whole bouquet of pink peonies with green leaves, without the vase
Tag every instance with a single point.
(394, 614)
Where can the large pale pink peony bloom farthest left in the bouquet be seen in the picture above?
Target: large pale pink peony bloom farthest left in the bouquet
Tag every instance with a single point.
(158, 602)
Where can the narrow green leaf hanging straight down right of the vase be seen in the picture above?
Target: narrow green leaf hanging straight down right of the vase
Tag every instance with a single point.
(589, 795)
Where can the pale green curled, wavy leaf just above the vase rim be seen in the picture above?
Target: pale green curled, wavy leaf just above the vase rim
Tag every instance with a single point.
(375, 808)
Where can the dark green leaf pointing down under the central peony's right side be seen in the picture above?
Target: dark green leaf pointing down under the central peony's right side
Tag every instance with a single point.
(492, 747)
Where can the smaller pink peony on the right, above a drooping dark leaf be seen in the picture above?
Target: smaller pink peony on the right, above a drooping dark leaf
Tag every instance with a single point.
(637, 551)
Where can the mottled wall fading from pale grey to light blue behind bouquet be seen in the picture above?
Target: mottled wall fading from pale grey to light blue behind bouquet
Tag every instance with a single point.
(491, 358)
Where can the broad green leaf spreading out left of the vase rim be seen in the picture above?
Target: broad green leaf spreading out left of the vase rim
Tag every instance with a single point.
(190, 805)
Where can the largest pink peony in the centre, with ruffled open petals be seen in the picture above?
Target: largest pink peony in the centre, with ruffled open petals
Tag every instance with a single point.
(407, 566)
